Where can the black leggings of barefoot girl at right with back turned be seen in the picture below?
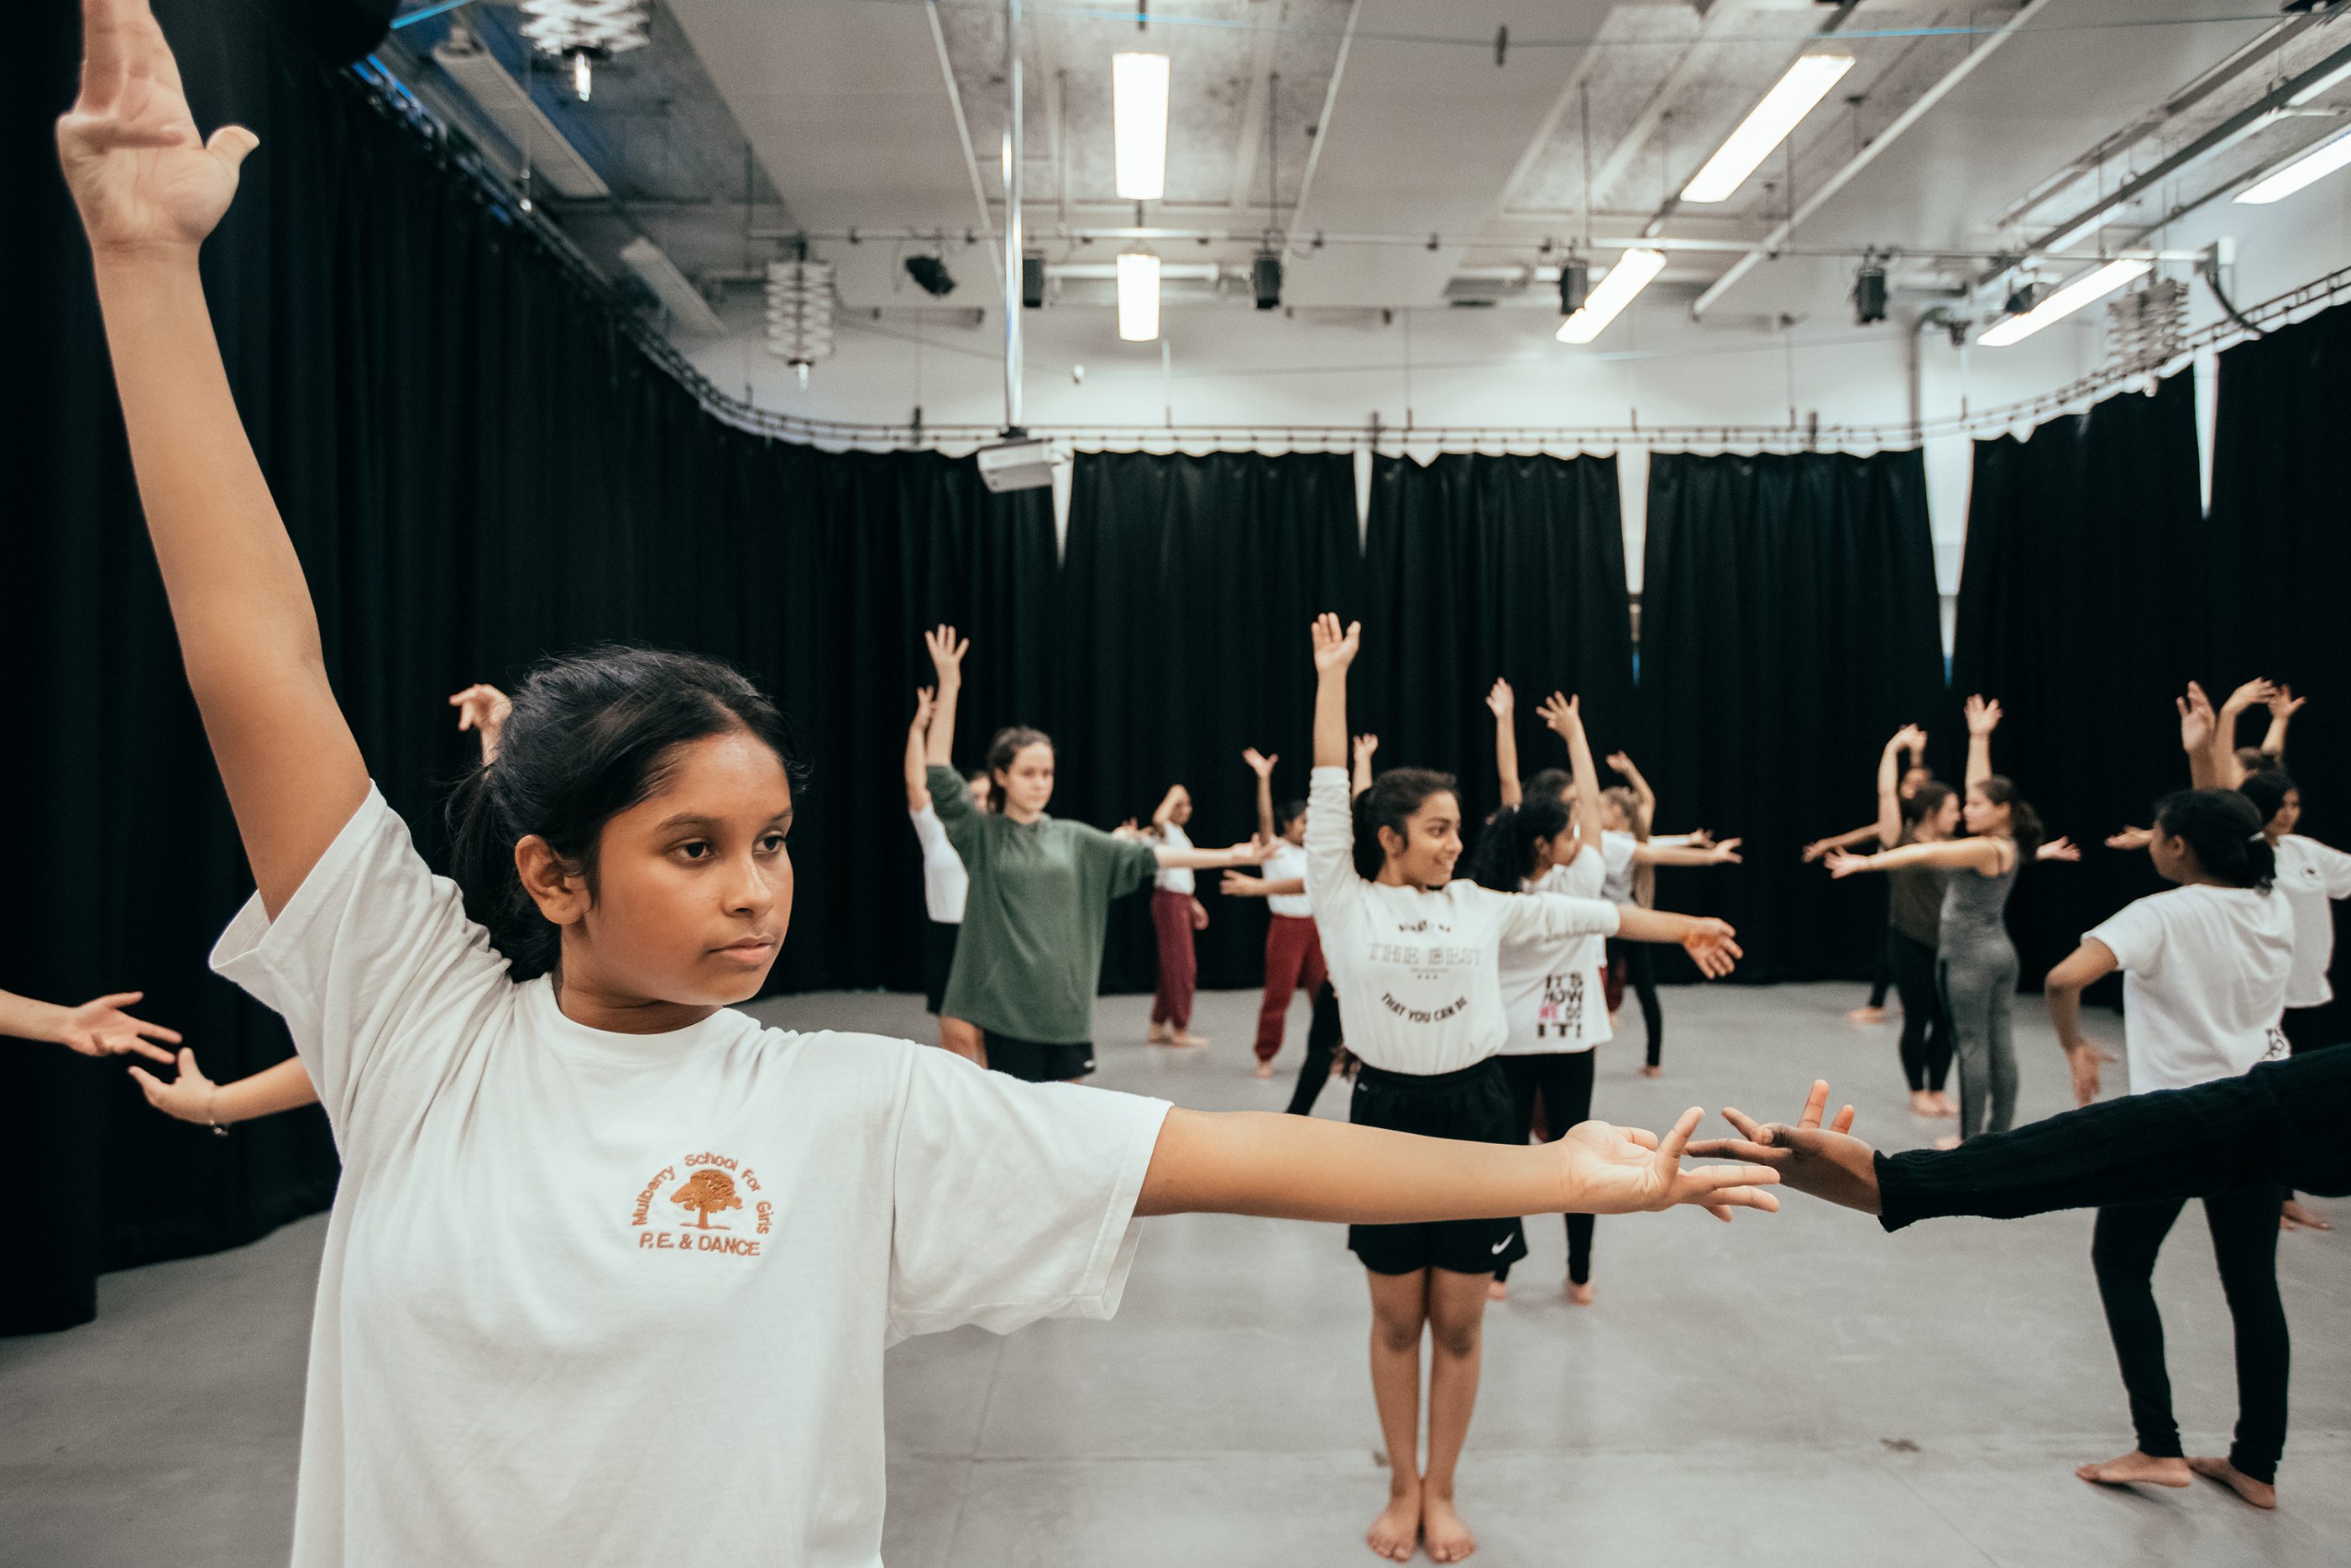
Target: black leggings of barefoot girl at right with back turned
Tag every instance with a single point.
(2246, 1249)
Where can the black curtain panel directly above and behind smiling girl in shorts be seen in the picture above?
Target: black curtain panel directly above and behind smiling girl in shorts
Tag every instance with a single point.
(1480, 568)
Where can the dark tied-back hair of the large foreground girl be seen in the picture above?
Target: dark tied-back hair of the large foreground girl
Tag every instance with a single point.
(591, 737)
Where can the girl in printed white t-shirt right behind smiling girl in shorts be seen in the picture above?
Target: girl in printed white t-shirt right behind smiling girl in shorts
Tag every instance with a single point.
(1553, 989)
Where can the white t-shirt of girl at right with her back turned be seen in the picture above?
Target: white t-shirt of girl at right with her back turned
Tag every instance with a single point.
(2204, 981)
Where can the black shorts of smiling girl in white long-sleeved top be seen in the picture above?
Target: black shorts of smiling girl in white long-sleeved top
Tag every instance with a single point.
(1471, 1106)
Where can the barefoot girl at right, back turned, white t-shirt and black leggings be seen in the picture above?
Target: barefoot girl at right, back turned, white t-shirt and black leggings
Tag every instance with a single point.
(2204, 979)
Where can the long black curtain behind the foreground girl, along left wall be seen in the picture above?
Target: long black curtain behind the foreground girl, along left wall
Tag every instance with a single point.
(478, 467)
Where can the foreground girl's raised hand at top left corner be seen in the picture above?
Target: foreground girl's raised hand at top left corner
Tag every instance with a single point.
(140, 173)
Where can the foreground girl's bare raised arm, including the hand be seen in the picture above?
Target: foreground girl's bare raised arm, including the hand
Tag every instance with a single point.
(149, 192)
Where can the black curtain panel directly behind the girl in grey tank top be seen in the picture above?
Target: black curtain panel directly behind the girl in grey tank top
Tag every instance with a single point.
(1788, 629)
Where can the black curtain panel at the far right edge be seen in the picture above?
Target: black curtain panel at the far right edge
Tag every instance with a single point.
(2284, 554)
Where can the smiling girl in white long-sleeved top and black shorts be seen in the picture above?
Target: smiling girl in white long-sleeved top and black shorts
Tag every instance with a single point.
(1416, 963)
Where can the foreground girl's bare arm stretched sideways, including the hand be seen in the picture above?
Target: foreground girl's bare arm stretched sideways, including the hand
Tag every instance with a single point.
(1313, 1170)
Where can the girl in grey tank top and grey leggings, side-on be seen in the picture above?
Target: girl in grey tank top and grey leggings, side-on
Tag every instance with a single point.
(1976, 965)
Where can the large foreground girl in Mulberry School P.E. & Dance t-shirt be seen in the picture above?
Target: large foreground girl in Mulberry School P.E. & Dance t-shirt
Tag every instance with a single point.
(589, 1209)
